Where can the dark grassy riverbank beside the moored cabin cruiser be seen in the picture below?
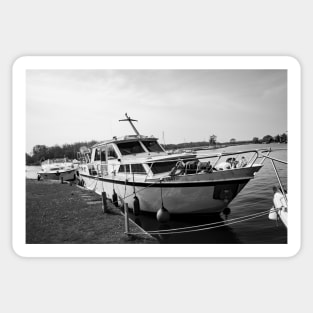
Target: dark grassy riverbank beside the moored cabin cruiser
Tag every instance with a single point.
(62, 213)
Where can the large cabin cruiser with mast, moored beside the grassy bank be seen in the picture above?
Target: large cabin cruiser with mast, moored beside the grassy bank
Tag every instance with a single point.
(137, 166)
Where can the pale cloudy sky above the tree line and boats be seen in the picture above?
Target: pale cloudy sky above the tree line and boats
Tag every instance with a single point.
(68, 106)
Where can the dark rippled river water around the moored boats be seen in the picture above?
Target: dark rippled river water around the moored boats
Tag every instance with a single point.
(256, 197)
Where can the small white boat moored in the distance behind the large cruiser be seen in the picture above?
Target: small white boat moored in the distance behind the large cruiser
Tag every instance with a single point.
(58, 169)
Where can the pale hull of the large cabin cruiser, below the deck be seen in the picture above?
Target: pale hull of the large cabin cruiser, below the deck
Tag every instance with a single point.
(186, 194)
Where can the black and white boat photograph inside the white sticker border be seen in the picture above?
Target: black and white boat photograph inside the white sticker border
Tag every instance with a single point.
(156, 156)
